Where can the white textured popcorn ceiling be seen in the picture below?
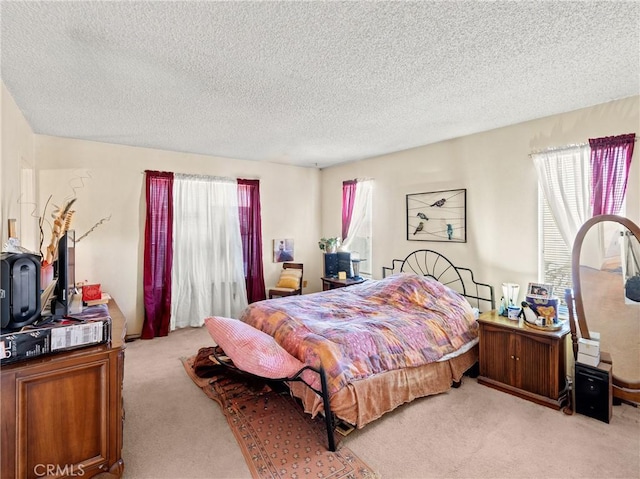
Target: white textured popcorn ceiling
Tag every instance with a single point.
(309, 83)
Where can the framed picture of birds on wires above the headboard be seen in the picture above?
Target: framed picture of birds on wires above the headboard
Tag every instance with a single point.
(437, 216)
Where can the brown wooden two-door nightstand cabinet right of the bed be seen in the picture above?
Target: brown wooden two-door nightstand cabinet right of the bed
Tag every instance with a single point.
(523, 361)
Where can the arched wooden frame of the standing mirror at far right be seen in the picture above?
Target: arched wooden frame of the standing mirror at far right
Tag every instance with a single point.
(622, 389)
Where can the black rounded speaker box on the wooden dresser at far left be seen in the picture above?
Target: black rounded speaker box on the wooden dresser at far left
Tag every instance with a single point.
(20, 290)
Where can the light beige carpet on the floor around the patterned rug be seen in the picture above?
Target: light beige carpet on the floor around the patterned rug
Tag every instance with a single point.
(172, 430)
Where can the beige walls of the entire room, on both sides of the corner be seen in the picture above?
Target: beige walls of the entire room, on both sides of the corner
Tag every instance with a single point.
(305, 204)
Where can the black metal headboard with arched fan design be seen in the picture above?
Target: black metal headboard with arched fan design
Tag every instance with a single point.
(432, 264)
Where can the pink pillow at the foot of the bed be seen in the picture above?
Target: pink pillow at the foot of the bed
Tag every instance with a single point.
(252, 350)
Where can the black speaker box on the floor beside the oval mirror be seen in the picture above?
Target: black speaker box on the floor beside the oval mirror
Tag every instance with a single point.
(594, 391)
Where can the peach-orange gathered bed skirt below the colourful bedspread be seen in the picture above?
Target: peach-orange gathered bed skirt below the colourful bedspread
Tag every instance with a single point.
(365, 400)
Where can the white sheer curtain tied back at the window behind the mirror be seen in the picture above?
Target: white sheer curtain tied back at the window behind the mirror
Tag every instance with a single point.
(564, 178)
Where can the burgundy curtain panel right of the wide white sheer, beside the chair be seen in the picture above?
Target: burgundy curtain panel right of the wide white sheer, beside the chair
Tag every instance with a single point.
(251, 233)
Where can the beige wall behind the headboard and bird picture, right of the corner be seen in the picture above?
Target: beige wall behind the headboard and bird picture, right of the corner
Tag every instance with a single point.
(501, 183)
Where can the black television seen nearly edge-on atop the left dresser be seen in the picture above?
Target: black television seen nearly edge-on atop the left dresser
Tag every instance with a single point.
(64, 268)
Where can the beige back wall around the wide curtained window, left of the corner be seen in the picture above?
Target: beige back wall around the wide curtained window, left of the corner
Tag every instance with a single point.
(113, 185)
